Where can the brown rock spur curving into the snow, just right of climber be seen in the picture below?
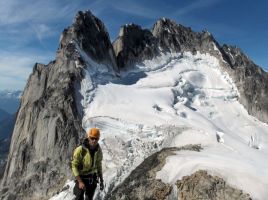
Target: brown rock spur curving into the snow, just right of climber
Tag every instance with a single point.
(142, 183)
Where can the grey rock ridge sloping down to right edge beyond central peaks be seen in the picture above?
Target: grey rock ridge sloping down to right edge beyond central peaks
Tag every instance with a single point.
(250, 80)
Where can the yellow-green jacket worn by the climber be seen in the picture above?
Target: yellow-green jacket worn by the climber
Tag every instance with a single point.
(82, 161)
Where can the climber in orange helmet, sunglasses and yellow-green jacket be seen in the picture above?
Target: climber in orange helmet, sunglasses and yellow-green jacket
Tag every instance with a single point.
(87, 166)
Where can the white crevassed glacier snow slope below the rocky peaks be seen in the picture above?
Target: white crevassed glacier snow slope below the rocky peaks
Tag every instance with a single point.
(175, 100)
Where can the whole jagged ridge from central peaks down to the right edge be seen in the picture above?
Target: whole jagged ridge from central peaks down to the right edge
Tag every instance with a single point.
(135, 45)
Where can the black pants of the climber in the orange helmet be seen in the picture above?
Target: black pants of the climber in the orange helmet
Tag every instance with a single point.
(90, 182)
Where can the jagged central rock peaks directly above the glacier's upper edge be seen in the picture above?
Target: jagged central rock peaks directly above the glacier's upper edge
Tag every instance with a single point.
(135, 44)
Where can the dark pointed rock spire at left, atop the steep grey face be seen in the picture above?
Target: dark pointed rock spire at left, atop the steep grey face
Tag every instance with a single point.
(90, 34)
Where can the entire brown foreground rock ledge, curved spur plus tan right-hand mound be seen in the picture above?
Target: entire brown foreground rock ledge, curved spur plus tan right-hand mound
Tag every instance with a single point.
(142, 183)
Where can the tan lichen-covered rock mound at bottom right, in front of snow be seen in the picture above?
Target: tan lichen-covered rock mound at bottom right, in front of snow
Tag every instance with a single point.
(201, 185)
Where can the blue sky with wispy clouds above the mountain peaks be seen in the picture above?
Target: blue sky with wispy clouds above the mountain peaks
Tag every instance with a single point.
(30, 29)
